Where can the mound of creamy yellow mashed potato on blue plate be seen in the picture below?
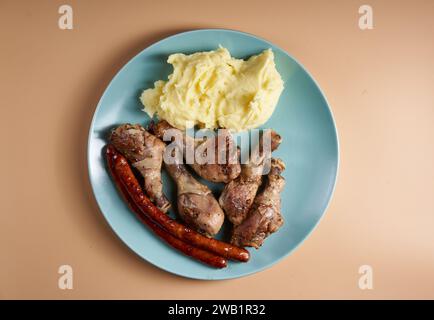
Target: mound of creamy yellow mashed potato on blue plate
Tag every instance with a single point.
(213, 90)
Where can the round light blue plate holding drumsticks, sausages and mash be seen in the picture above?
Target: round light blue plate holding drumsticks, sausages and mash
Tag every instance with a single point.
(302, 118)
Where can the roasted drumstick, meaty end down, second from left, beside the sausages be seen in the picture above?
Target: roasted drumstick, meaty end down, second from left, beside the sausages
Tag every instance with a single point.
(196, 204)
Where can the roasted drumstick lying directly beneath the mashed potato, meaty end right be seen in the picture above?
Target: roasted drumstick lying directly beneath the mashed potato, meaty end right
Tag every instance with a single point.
(214, 172)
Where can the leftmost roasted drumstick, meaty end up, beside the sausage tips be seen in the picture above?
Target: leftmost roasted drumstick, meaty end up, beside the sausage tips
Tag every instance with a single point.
(145, 152)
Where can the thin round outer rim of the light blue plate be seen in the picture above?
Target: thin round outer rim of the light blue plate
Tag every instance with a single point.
(224, 277)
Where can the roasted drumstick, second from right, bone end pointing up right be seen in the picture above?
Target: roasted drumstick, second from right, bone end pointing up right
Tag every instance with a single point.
(237, 196)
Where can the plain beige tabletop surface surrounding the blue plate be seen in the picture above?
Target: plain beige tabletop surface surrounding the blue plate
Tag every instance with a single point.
(380, 86)
